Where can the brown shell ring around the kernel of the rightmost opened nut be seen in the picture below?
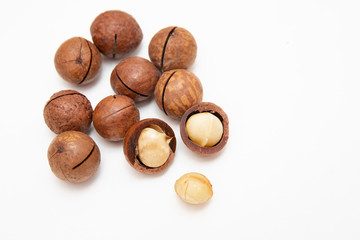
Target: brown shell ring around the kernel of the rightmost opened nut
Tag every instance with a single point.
(219, 113)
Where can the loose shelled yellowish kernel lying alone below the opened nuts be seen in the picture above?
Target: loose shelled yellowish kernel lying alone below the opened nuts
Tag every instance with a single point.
(193, 188)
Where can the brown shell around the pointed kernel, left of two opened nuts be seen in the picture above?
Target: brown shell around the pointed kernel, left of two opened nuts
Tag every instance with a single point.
(131, 141)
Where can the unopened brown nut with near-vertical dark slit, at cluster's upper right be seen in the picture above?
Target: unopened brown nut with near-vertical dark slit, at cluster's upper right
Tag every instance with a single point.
(172, 48)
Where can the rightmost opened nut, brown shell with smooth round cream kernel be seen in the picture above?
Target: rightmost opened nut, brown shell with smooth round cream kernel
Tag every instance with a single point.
(204, 128)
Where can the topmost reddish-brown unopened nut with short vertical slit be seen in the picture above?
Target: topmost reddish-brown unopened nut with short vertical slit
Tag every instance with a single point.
(115, 33)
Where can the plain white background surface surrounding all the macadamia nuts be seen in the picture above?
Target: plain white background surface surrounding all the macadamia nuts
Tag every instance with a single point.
(286, 72)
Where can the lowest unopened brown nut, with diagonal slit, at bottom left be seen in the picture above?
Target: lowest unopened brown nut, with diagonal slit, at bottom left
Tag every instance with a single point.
(73, 156)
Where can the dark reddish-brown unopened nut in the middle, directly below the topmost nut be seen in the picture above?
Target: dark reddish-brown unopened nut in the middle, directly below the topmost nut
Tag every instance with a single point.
(134, 77)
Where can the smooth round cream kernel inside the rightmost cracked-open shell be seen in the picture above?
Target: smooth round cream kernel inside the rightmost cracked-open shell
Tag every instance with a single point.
(204, 129)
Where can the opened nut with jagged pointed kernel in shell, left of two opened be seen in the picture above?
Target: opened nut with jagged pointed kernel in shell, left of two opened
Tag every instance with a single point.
(159, 139)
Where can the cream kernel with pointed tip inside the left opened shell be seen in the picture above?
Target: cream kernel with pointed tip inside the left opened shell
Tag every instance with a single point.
(153, 146)
